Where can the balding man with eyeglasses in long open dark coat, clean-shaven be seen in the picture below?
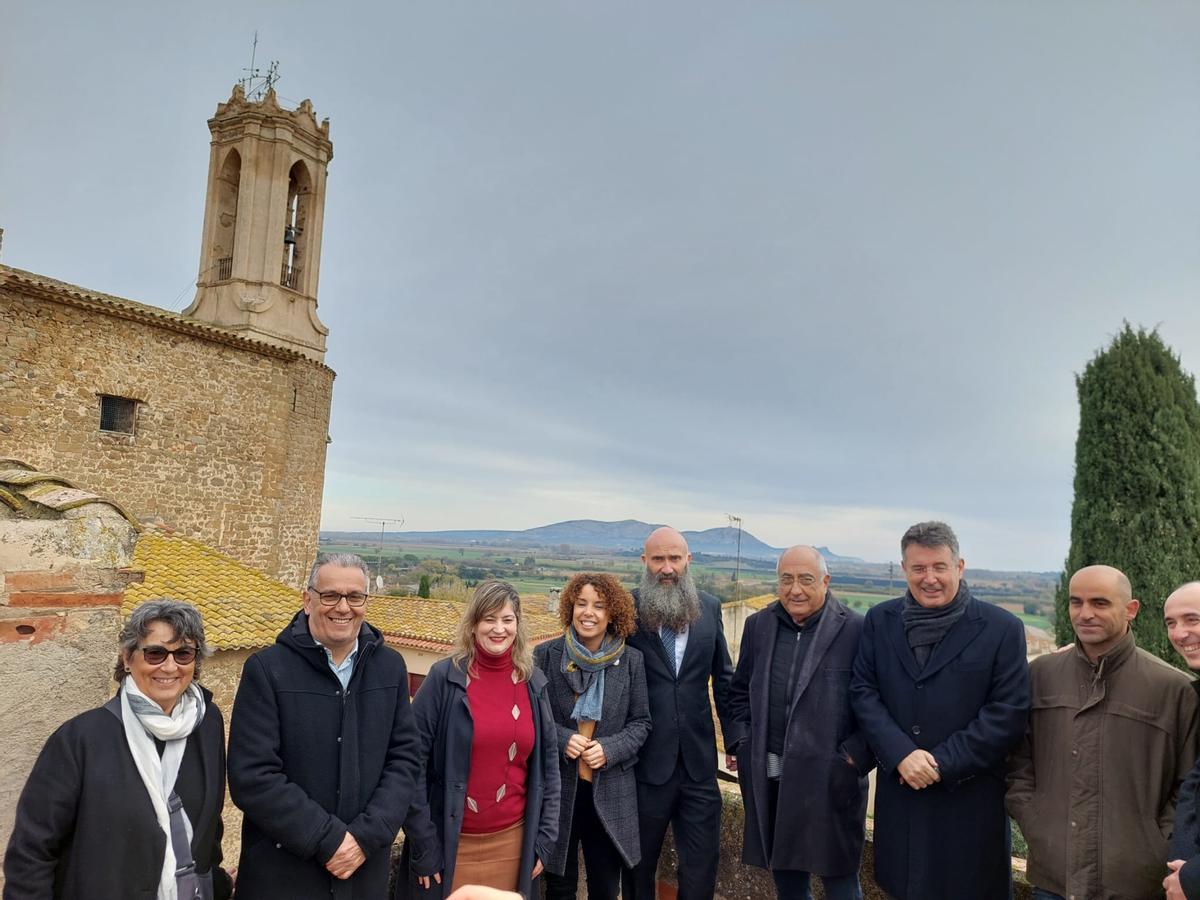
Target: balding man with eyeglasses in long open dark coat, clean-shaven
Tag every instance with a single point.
(802, 743)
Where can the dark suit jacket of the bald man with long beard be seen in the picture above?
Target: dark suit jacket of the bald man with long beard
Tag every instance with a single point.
(682, 717)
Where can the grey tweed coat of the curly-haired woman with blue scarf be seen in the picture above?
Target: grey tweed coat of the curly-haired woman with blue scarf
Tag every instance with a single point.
(622, 730)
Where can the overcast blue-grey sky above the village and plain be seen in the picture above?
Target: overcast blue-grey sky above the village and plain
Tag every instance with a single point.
(829, 267)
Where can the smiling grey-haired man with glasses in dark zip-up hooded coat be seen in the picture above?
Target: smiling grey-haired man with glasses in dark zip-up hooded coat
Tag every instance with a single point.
(323, 757)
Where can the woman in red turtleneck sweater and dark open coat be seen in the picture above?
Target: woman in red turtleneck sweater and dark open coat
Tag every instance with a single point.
(488, 811)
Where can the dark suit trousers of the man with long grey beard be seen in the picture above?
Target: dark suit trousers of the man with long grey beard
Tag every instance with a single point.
(693, 809)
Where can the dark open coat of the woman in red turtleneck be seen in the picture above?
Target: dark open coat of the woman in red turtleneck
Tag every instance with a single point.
(431, 832)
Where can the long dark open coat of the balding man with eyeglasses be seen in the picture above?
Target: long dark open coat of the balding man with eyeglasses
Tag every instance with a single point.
(819, 823)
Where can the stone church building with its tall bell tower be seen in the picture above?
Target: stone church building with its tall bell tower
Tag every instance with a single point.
(214, 422)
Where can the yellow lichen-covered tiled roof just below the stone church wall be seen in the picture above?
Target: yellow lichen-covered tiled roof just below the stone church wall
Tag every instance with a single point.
(242, 607)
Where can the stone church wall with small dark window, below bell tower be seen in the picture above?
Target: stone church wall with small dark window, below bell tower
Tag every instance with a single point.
(230, 443)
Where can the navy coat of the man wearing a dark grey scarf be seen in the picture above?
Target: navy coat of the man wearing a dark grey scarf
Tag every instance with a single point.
(968, 707)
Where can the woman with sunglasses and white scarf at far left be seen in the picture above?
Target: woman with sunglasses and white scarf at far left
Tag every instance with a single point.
(125, 801)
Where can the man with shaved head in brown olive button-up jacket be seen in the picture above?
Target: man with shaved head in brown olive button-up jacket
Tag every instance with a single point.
(1112, 736)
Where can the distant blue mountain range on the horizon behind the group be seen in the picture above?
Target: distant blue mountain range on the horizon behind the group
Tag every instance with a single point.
(629, 535)
